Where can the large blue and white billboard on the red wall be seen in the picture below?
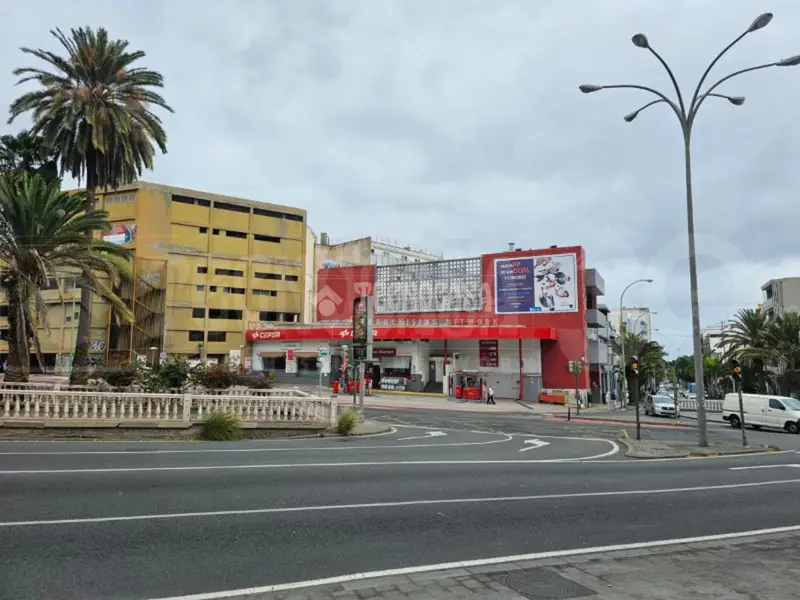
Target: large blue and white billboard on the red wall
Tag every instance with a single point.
(536, 284)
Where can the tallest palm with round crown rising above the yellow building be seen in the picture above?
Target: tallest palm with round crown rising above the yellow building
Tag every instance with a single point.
(93, 108)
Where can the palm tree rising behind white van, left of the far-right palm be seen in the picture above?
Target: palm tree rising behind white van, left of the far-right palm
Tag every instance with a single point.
(747, 340)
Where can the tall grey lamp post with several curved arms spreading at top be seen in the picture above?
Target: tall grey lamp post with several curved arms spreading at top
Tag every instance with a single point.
(687, 113)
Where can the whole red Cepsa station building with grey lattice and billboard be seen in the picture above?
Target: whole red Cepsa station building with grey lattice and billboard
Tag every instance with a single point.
(516, 319)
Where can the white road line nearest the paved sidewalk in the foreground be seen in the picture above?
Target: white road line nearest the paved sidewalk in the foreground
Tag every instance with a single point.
(481, 562)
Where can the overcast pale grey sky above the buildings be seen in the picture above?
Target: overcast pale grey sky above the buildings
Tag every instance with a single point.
(457, 126)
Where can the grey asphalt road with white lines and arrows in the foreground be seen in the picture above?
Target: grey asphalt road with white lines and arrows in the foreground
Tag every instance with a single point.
(124, 520)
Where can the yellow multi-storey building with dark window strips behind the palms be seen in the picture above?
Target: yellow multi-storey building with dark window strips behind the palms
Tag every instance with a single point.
(204, 266)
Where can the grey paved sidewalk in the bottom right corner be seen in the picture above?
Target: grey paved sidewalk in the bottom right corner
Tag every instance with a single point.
(733, 569)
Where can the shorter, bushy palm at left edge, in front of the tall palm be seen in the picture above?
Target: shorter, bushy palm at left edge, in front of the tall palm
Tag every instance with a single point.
(44, 234)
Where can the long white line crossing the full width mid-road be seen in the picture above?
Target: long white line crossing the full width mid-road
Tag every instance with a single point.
(443, 501)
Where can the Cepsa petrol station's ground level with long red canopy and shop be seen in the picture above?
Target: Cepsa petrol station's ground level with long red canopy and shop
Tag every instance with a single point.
(413, 358)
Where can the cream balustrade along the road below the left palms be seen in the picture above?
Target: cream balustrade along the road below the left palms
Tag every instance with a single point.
(67, 408)
